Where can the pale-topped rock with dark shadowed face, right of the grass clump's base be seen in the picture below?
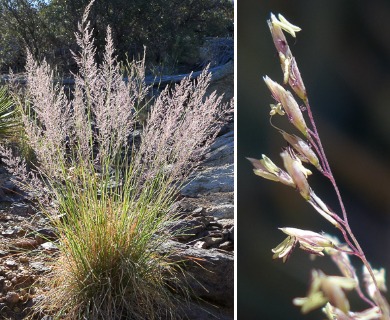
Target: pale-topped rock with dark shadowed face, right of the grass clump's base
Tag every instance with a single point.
(211, 271)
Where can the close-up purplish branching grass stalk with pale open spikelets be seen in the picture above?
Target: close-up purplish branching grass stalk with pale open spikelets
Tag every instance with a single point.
(324, 290)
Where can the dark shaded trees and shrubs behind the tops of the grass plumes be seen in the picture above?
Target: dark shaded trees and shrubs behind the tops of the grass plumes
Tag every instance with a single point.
(172, 31)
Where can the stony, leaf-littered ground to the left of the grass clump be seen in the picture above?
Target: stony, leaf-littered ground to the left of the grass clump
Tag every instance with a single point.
(27, 245)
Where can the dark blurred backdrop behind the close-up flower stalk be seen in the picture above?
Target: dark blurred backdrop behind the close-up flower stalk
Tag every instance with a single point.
(343, 53)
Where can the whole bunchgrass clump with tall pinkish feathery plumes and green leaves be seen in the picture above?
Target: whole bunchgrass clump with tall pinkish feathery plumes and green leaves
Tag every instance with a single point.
(110, 198)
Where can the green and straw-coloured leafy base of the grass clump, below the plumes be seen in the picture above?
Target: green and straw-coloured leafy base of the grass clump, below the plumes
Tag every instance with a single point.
(110, 232)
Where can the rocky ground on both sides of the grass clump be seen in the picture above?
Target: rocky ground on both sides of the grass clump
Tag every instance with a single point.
(28, 243)
